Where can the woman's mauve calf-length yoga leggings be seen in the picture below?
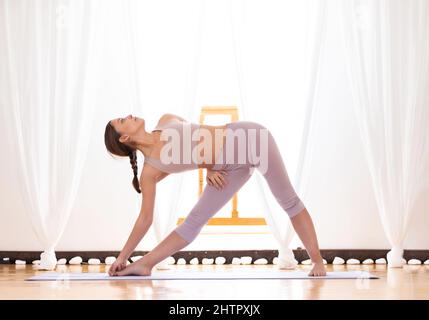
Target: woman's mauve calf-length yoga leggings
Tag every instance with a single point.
(212, 199)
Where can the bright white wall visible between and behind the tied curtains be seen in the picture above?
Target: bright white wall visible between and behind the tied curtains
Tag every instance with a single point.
(340, 197)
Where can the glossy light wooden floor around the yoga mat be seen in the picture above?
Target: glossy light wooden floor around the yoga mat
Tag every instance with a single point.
(410, 282)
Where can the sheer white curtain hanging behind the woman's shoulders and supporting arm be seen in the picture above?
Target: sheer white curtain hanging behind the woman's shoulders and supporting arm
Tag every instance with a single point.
(171, 189)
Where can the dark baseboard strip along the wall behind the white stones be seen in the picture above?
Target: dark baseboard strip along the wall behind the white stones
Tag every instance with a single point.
(300, 254)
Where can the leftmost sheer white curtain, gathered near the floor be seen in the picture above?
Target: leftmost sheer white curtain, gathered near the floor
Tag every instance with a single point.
(50, 70)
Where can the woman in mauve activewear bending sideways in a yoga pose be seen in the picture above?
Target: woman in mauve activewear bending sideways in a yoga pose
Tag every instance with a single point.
(125, 136)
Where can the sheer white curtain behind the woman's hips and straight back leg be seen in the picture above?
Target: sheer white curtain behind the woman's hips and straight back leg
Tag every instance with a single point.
(277, 219)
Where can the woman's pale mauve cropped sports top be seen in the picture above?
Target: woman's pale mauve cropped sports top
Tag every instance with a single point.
(182, 132)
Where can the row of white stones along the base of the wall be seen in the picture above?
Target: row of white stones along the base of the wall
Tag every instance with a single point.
(221, 260)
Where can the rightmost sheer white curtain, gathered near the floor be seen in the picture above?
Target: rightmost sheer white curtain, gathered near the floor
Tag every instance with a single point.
(387, 51)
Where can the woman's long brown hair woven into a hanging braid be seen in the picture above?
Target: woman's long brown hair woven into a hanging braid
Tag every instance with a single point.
(114, 146)
